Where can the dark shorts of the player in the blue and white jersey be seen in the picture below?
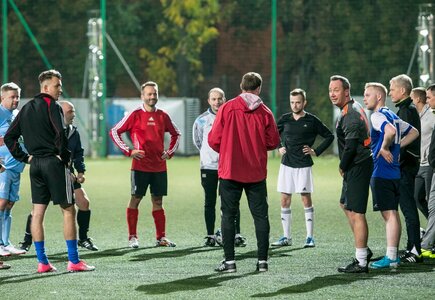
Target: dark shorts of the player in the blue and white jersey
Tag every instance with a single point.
(385, 193)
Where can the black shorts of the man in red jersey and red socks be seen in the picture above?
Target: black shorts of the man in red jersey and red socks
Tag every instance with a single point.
(158, 182)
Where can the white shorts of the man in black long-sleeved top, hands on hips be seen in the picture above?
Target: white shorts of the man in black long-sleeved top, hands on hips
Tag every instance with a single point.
(295, 180)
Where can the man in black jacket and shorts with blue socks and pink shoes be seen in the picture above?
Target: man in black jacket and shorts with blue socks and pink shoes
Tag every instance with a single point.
(40, 123)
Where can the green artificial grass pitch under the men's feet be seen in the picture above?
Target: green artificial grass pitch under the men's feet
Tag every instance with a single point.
(186, 272)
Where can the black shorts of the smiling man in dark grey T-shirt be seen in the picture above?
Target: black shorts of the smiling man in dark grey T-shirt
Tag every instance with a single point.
(355, 191)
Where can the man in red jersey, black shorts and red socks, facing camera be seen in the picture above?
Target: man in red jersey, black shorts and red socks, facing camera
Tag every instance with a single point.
(147, 126)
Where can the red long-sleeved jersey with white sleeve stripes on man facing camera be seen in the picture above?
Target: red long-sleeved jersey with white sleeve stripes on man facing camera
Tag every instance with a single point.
(147, 132)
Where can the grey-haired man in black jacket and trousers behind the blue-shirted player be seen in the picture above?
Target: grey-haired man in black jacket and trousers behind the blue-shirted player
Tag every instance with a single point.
(400, 90)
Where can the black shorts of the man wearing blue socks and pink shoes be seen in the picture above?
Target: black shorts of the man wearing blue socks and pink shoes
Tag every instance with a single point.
(50, 180)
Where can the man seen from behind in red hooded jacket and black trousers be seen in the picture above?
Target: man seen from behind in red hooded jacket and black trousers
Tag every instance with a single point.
(243, 132)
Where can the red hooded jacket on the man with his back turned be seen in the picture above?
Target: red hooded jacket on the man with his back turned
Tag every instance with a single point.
(243, 132)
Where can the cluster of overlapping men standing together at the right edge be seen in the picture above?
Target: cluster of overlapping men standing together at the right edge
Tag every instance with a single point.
(386, 157)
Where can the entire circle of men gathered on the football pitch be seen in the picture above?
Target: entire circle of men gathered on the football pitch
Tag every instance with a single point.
(233, 138)
